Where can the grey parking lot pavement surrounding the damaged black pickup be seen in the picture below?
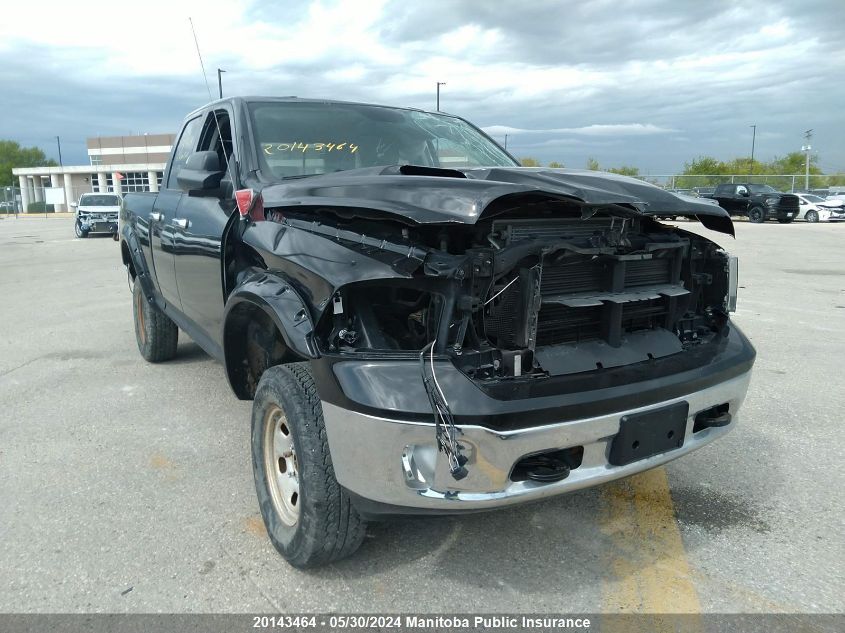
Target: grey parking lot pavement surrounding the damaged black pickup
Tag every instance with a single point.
(127, 487)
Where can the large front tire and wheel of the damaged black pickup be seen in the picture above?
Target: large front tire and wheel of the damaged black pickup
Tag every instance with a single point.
(325, 526)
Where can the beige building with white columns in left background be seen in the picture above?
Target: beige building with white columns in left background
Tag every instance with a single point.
(118, 164)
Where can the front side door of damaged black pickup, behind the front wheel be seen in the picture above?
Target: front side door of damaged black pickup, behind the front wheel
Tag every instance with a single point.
(200, 223)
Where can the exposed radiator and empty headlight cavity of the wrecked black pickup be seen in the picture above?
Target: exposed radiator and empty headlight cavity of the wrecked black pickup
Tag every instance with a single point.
(561, 292)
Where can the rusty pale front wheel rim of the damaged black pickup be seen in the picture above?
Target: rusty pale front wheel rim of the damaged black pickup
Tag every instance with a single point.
(280, 466)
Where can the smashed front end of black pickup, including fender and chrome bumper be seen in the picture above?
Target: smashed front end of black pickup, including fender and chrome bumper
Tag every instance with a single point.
(437, 341)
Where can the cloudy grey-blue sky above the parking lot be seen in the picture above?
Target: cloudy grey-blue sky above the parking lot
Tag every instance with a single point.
(650, 83)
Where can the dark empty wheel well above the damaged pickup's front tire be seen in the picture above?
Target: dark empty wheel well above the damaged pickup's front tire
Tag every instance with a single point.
(252, 343)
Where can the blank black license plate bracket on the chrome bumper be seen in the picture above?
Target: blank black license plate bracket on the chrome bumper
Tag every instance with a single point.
(648, 433)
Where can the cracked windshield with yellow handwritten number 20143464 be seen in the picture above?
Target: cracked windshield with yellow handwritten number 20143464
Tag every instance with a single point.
(300, 139)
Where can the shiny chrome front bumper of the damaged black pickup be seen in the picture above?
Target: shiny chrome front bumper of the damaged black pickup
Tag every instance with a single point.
(397, 463)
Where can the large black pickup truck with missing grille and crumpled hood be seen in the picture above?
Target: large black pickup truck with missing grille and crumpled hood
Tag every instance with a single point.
(423, 325)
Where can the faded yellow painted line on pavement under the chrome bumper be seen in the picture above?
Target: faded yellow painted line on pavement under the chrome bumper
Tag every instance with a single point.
(648, 567)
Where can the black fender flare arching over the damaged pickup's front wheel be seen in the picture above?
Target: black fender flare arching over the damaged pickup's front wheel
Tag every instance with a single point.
(282, 304)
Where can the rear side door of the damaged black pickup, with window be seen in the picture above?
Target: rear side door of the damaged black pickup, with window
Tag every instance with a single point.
(163, 230)
